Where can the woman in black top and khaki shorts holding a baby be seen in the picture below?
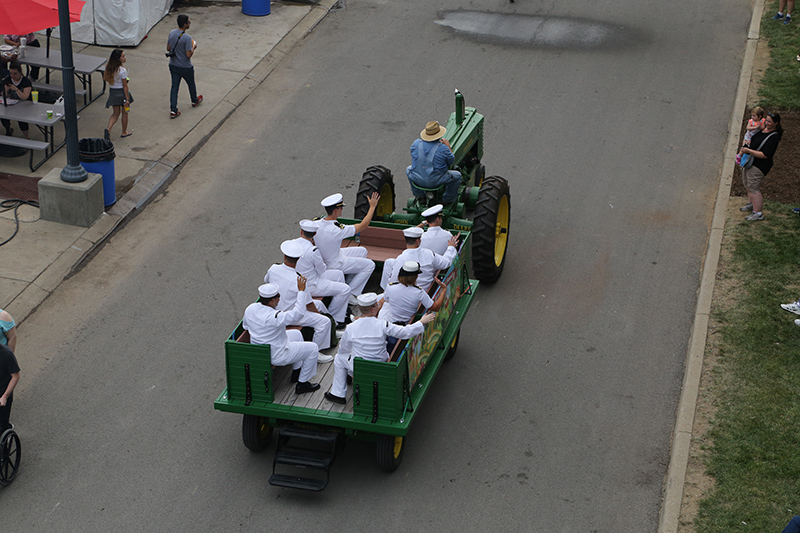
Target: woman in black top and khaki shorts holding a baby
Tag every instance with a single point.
(766, 142)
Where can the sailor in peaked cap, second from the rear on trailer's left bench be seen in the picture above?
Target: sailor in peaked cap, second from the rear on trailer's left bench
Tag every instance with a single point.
(285, 276)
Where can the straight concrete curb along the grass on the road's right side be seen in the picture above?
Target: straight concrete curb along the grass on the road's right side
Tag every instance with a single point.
(682, 434)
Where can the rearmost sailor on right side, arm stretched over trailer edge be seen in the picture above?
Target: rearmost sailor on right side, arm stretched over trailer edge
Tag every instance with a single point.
(366, 337)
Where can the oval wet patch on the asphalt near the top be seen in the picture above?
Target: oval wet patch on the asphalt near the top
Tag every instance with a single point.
(535, 31)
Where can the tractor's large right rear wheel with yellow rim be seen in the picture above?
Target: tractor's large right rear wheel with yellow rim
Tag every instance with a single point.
(490, 229)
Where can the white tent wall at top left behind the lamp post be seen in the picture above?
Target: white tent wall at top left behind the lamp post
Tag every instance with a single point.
(117, 22)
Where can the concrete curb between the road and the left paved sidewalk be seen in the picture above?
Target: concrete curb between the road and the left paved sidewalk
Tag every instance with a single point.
(162, 172)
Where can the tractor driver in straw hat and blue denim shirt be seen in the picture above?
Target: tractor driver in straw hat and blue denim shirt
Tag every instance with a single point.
(431, 157)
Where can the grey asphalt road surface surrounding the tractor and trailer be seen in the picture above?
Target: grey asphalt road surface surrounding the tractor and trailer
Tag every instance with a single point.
(556, 413)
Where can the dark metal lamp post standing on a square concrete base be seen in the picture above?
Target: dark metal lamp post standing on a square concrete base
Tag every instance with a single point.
(73, 172)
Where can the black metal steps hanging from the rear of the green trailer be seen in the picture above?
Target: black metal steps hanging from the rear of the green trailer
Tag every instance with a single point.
(305, 455)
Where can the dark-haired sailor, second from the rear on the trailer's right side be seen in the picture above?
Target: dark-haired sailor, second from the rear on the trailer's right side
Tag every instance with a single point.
(402, 298)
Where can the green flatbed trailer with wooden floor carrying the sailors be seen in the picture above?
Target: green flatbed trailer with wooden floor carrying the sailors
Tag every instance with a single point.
(382, 400)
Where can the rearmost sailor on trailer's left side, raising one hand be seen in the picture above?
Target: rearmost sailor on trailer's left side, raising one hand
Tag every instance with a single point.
(267, 325)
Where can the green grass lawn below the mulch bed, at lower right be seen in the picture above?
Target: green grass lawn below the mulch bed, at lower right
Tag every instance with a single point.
(754, 457)
